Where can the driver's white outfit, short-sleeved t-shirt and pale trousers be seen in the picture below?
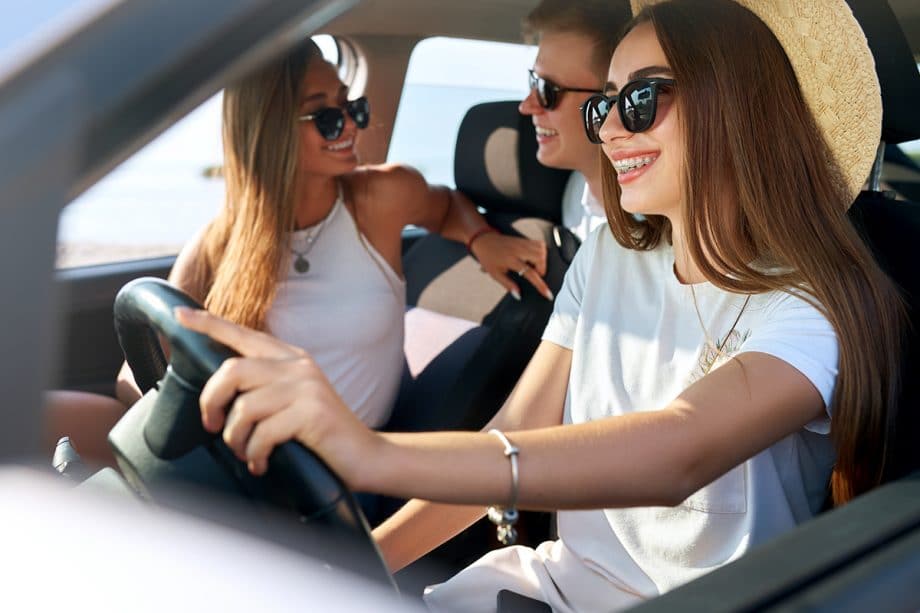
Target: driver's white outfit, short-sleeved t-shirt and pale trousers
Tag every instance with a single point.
(637, 342)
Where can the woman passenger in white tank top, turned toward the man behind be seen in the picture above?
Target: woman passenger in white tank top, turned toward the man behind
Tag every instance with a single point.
(308, 245)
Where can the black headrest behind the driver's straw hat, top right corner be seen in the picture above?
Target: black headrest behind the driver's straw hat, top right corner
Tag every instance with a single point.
(897, 71)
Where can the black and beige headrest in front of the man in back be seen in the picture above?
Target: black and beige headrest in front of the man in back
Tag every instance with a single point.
(496, 165)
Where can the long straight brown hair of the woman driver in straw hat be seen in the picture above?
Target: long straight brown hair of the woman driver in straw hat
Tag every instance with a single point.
(753, 145)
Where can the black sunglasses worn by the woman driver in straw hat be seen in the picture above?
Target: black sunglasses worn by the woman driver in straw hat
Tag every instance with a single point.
(637, 104)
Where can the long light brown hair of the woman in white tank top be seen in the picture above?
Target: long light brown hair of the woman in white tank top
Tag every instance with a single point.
(242, 250)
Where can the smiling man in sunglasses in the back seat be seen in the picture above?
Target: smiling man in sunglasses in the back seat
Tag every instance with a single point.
(576, 40)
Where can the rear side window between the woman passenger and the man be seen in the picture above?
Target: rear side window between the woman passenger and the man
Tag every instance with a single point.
(445, 77)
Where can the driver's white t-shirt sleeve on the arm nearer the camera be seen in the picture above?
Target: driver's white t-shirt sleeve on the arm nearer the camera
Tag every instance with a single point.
(797, 333)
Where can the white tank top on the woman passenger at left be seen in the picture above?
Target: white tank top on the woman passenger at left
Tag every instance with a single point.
(346, 311)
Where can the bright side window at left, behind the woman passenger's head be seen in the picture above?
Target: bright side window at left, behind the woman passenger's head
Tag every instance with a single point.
(156, 200)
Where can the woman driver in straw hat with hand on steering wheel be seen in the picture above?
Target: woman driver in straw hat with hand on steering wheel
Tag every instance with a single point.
(708, 368)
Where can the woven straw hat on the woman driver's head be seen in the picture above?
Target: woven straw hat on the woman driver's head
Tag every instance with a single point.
(836, 71)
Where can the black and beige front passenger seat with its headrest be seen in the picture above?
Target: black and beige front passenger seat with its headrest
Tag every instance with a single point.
(467, 340)
